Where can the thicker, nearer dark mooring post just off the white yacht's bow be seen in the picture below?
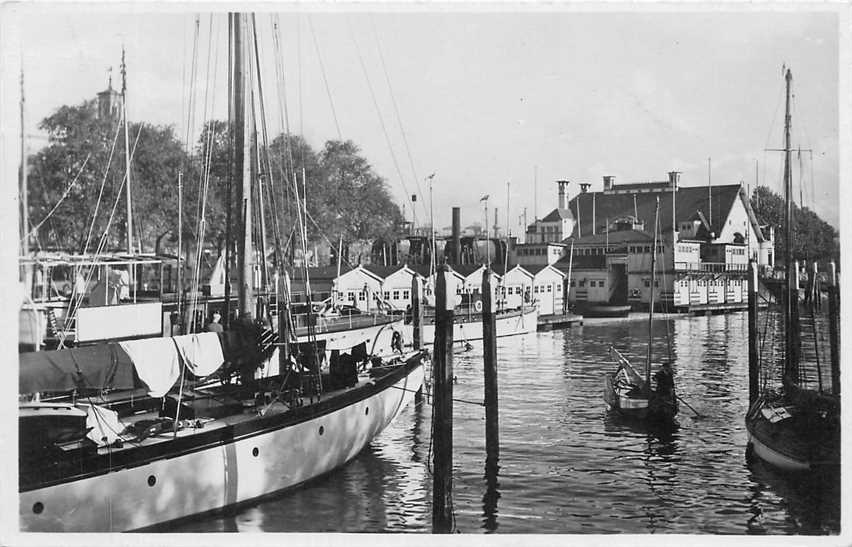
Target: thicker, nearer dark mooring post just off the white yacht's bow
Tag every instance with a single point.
(442, 459)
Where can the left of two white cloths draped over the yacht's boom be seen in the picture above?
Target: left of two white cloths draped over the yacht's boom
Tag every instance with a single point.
(156, 362)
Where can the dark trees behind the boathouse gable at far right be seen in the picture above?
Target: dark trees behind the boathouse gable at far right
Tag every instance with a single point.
(813, 238)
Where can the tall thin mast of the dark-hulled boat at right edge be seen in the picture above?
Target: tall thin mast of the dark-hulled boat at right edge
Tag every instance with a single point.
(791, 363)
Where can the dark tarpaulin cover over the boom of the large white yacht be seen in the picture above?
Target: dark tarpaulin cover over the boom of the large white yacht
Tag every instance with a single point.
(104, 366)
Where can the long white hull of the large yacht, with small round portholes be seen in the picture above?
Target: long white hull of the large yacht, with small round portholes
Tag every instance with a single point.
(241, 465)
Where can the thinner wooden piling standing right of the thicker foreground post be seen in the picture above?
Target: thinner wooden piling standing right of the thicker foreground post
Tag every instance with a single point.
(489, 340)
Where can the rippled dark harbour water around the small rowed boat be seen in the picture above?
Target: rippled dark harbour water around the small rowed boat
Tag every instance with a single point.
(566, 465)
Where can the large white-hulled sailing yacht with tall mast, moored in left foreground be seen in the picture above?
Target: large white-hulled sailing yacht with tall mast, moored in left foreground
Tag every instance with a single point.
(123, 429)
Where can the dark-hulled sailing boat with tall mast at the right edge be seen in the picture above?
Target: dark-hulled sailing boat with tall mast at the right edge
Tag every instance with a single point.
(794, 426)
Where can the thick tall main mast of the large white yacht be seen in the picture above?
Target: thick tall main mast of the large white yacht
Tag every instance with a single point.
(241, 171)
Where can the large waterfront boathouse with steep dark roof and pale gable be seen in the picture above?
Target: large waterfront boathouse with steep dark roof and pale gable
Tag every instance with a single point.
(706, 237)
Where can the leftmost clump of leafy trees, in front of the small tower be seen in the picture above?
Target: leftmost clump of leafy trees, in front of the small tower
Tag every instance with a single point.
(84, 161)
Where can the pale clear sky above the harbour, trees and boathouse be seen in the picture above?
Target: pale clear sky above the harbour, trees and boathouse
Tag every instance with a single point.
(480, 95)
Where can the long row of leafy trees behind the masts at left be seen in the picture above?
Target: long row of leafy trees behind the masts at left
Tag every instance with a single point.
(345, 196)
